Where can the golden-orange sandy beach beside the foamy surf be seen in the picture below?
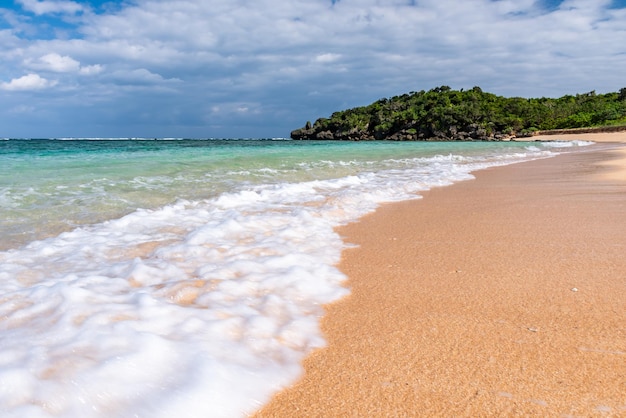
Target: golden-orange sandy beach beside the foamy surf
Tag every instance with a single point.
(499, 296)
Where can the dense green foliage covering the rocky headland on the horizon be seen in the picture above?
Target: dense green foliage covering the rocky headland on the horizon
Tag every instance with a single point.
(443, 113)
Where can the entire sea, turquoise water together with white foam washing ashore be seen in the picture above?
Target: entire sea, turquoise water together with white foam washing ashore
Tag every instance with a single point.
(159, 278)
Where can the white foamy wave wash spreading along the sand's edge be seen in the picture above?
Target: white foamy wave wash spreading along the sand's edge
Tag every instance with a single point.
(196, 309)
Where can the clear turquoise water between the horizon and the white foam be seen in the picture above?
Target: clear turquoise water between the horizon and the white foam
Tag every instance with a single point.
(50, 186)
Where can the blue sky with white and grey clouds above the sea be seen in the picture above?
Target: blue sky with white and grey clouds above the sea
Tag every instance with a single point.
(261, 68)
